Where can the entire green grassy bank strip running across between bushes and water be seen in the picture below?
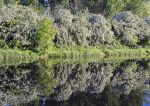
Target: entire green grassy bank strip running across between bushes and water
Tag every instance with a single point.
(74, 53)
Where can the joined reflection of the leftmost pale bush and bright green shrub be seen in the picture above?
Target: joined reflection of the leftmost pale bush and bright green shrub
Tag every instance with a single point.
(23, 83)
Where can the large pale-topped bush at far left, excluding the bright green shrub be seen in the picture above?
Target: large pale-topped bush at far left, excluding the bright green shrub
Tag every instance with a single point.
(18, 26)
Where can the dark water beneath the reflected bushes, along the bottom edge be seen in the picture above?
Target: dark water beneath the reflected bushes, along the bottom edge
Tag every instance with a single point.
(107, 98)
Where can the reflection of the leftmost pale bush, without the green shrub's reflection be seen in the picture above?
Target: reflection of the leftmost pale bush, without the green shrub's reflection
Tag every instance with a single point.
(17, 84)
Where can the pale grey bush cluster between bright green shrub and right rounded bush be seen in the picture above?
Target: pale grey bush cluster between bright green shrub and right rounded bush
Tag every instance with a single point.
(82, 29)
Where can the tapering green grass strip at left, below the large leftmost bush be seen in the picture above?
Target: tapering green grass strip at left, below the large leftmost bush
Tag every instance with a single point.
(15, 57)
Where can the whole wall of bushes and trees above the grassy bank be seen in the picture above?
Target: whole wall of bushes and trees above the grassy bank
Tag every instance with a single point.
(31, 25)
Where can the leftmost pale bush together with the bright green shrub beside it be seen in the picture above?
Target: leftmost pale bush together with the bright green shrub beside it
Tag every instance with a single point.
(24, 29)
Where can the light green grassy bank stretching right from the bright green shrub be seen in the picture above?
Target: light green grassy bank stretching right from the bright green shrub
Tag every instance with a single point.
(94, 52)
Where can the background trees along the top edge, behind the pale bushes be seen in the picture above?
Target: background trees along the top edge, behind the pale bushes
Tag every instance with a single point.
(107, 7)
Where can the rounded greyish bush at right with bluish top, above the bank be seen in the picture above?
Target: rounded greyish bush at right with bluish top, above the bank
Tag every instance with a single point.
(131, 29)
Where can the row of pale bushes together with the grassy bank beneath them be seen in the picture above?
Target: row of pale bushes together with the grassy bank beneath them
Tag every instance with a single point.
(73, 36)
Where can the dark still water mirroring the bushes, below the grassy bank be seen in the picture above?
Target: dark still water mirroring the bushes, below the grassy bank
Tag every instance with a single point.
(58, 83)
